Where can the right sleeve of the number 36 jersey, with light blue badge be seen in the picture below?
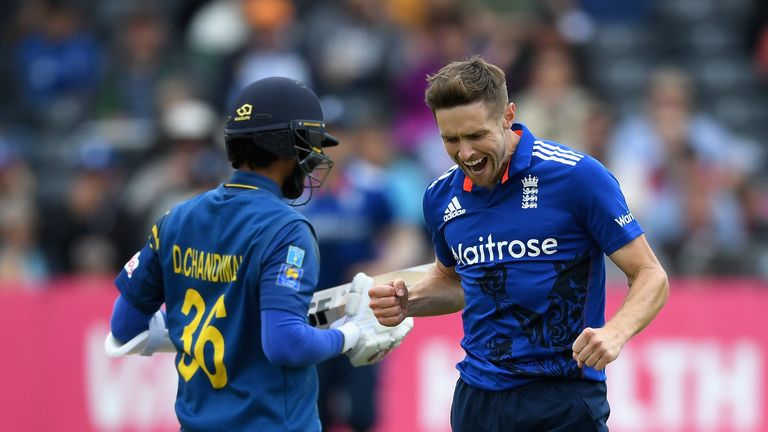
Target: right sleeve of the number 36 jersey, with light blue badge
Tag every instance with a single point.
(290, 268)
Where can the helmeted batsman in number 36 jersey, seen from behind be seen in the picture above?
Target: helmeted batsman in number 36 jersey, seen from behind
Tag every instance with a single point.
(236, 268)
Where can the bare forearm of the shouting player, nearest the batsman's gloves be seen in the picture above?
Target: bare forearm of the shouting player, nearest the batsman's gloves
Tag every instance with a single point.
(438, 293)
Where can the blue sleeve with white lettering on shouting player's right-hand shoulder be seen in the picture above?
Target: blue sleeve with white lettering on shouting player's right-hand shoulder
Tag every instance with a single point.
(600, 206)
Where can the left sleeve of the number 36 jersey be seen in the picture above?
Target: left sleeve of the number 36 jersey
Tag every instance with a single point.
(141, 280)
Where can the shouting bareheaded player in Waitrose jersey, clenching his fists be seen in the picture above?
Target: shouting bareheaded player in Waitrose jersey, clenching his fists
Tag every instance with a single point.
(520, 227)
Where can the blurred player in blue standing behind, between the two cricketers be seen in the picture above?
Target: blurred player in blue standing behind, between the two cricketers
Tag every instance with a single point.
(359, 229)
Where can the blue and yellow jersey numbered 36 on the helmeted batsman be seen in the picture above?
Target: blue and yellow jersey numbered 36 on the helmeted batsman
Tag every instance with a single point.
(216, 260)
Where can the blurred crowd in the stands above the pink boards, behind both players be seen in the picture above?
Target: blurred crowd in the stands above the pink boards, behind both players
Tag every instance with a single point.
(111, 111)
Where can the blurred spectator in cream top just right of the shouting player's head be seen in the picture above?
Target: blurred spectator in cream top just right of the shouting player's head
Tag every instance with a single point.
(555, 105)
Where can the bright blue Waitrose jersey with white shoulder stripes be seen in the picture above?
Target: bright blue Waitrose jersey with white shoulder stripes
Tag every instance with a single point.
(530, 254)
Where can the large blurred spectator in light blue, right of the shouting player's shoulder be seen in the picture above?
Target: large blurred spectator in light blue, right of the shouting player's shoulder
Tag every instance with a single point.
(680, 169)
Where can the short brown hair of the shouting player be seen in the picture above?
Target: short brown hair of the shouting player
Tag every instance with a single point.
(466, 82)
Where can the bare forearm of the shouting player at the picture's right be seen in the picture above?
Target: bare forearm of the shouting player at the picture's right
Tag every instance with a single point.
(648, 292)
